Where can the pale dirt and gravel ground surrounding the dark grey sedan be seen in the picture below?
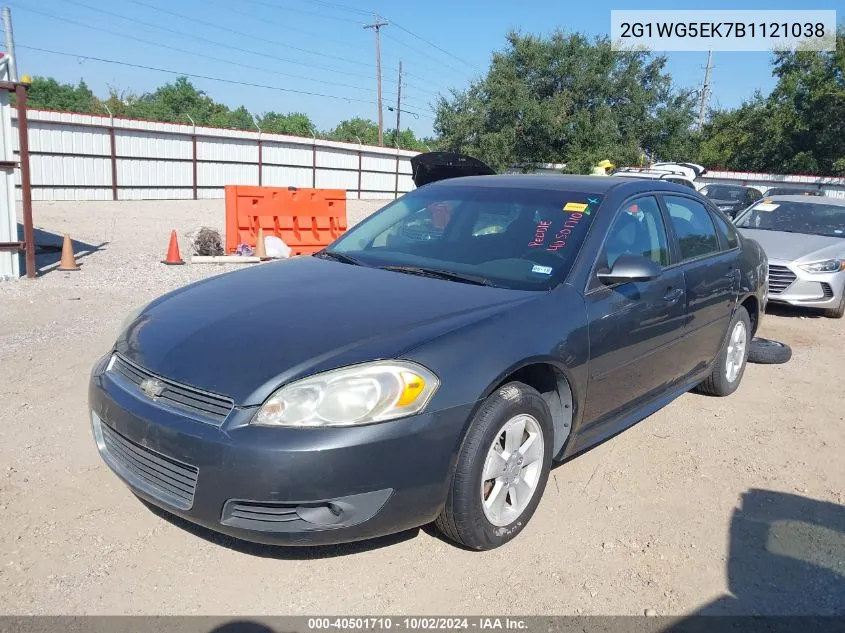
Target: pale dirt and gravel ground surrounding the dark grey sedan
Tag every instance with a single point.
(730, 505)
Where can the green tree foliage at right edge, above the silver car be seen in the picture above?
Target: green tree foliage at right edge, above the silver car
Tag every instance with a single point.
(798, 128)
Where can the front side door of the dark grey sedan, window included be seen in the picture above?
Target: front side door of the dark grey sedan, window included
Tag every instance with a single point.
(634, 326)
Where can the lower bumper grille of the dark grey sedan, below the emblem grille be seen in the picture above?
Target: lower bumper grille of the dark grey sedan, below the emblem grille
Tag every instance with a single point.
(162, 477)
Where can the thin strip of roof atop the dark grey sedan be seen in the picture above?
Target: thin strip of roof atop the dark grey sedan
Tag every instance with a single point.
(561, 182)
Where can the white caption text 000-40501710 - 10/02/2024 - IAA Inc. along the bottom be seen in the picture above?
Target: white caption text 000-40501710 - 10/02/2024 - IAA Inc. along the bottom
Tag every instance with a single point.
(417, 623)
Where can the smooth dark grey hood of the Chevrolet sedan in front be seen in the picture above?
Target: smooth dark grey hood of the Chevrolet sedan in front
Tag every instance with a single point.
(242, 334)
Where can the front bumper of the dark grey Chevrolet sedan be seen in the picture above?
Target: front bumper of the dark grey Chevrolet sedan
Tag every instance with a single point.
(276, 485)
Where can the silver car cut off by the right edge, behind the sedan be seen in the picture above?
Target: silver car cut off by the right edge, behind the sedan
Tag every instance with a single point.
(804, 239)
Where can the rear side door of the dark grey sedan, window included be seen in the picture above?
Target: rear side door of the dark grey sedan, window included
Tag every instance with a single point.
(711, 269)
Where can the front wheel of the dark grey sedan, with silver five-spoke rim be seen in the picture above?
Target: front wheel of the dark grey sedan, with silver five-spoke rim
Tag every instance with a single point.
(464, 519)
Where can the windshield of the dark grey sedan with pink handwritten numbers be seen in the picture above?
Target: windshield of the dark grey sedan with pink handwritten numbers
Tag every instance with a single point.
(524, 239)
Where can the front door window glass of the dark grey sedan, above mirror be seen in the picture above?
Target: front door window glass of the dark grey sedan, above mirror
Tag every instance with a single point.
(637, 230)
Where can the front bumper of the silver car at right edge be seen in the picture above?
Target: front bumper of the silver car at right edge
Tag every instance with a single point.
(791, 285)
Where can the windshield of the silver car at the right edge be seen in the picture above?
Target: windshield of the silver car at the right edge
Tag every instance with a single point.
(796, 217)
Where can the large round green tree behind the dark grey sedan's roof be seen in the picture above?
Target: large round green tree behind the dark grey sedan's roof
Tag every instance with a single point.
(568, 99)
